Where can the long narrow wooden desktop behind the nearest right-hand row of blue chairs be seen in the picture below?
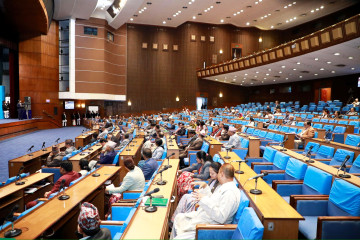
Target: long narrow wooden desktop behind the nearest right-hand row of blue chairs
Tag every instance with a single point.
(318, 164)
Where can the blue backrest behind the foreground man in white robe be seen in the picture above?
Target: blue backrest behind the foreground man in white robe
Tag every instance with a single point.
(249, 227)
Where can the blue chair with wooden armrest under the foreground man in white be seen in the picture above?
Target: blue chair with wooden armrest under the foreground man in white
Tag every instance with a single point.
(249, 227)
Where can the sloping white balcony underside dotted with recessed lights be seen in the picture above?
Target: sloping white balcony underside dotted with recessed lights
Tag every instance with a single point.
(283, 71)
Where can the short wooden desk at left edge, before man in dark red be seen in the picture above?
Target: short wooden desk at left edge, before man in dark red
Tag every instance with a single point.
(13, 194)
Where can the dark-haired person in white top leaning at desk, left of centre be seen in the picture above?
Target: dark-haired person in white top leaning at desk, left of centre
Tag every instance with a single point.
(133, 181)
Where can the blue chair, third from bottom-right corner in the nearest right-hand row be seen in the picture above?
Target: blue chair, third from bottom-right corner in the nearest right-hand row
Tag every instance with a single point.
(295, 170)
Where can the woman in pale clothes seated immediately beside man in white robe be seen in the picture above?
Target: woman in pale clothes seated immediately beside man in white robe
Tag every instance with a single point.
(188, 202)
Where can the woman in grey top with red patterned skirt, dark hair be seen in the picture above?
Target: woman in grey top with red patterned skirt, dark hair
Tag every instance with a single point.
(199, 170)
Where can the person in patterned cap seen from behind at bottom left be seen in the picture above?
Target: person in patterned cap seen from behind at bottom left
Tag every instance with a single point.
(89, 223)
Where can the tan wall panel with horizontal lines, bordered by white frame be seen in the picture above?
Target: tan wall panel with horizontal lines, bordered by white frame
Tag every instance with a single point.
(100, 64)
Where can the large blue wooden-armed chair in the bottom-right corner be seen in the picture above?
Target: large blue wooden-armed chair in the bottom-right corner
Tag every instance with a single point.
(336, 216)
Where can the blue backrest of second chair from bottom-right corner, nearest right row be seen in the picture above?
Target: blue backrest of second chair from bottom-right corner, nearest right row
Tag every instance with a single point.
(316, 181)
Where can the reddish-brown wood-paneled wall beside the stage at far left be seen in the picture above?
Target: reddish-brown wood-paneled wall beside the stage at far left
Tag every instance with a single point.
(39, 71)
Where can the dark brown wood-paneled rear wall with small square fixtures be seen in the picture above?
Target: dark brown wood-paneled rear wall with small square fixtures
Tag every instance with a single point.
(156, 77)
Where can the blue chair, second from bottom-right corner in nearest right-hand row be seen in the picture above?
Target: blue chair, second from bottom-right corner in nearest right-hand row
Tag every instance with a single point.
(315, 182)
